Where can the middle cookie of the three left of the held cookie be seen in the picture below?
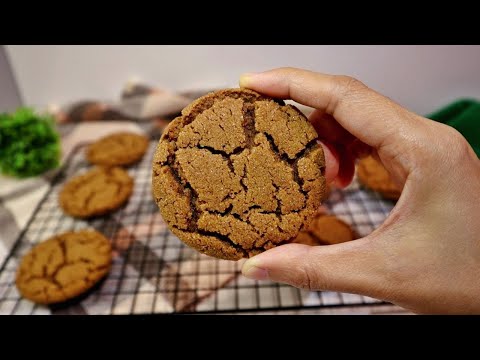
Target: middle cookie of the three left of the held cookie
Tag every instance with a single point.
(96, 192)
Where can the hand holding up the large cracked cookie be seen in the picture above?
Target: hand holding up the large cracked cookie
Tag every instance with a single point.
(425, 257)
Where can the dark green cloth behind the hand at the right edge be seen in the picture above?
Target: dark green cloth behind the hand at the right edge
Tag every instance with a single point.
(464, 116)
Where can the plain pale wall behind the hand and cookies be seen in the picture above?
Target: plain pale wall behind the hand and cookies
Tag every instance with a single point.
(419, 77)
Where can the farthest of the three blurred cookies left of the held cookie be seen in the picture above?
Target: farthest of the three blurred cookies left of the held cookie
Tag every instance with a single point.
(118, 149)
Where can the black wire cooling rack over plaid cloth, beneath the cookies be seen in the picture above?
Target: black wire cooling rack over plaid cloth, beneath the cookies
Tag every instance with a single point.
(154, 272)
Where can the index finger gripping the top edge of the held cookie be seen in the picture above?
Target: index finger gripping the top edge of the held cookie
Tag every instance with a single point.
(365, 114)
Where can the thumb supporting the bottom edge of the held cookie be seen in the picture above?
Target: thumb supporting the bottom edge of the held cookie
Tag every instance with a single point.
(354, 267)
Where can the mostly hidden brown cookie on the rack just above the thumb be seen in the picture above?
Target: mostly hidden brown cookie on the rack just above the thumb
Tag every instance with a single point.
(326, 230)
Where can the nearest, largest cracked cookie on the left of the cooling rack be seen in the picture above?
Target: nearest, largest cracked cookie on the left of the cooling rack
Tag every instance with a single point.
(64, 266)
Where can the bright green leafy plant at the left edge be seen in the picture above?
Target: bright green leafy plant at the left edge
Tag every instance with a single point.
(29, 143)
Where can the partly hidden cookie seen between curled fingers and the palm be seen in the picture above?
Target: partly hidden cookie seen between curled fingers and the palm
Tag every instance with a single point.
(373, 175)
